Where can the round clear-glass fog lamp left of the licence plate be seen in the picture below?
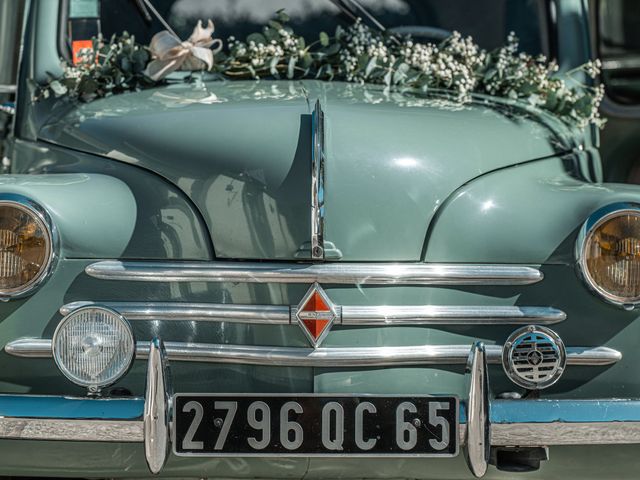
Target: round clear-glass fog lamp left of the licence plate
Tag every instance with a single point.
(93, 347)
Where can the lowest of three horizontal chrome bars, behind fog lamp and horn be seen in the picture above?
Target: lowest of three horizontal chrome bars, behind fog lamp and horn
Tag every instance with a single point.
(324, 357)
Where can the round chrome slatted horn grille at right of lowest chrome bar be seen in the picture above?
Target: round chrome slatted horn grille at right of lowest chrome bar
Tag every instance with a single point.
(534, 357)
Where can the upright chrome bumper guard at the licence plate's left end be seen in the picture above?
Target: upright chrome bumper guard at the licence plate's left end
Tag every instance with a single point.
(156, 417)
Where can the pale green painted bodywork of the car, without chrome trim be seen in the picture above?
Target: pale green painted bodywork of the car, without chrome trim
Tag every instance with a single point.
(219, 170)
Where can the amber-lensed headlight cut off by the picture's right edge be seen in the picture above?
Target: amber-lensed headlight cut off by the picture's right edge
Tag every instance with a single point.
(608, 253)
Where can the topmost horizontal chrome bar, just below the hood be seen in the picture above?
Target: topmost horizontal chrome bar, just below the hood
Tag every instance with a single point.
(337, 273)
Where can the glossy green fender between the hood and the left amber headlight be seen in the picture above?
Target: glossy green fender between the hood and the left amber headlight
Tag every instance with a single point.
(105, 208)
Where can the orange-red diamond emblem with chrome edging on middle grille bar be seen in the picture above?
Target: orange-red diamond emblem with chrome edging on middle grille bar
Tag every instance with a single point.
(315, 314)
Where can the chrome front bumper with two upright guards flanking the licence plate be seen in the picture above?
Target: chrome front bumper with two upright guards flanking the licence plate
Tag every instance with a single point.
(484, 423)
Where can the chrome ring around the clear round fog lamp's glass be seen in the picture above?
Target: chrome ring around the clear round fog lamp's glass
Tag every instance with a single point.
(64, 369)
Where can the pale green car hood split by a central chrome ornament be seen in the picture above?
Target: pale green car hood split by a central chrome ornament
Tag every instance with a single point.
(241, 151)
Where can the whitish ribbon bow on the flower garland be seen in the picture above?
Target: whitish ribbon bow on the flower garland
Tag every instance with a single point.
(171, 54)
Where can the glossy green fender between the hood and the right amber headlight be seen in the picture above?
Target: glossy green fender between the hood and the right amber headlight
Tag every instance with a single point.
(530, 213)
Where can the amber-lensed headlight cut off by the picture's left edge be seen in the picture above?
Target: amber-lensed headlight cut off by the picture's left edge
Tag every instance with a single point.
(26, 245)
